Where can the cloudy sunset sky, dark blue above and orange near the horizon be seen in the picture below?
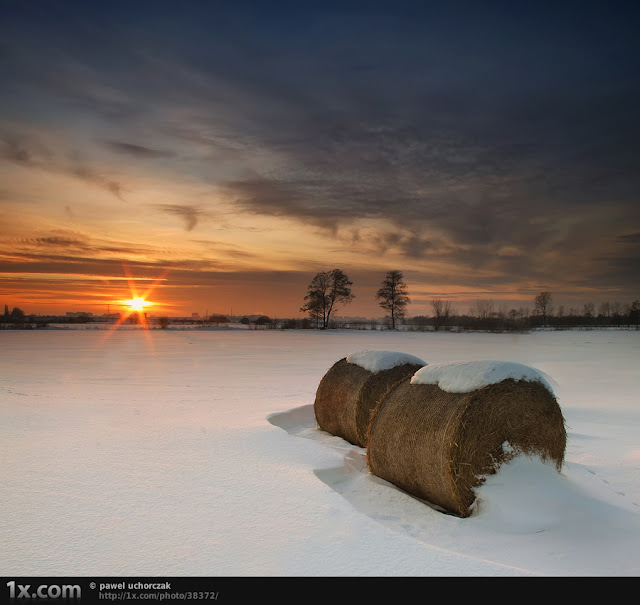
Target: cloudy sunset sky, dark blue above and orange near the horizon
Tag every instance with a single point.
(213, 157)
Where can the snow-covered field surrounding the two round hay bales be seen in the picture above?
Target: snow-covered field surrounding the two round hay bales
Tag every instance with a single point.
(195, 453)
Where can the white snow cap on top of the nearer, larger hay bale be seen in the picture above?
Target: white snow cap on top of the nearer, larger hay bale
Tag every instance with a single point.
(467, 376)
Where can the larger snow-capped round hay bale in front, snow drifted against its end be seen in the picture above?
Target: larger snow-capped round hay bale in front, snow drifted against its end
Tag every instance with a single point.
(439, 435)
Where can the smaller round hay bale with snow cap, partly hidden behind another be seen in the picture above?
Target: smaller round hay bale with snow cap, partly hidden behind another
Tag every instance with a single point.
(354, 386)
